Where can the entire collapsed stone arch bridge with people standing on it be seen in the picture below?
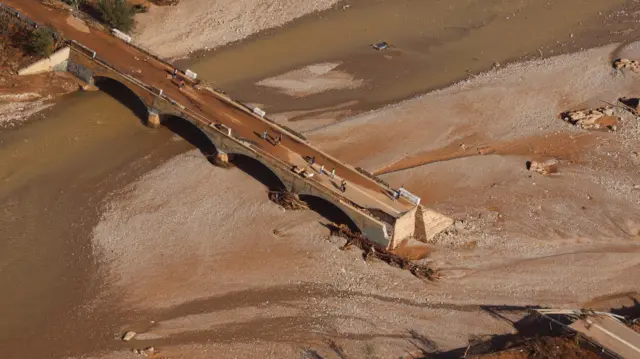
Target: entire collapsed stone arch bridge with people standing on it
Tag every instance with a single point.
(94, 55)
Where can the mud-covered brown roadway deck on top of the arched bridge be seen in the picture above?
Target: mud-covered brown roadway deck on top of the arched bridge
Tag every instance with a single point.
(212, 108)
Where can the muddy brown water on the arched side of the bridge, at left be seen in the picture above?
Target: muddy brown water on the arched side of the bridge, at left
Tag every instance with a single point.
(54, 173)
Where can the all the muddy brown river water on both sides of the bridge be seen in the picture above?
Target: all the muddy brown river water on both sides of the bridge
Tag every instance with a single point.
(55, 171)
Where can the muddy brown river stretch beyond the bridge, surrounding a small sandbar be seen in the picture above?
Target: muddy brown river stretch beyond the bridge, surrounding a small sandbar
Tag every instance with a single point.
(434, 43)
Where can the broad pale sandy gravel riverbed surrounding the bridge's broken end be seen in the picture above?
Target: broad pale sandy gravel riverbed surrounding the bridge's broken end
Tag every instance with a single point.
(211, 266)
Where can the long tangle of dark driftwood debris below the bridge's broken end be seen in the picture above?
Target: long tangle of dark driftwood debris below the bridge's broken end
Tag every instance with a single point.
(371, 250)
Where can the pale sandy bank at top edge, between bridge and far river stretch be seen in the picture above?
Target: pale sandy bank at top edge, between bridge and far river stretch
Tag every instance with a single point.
(175, 31)
